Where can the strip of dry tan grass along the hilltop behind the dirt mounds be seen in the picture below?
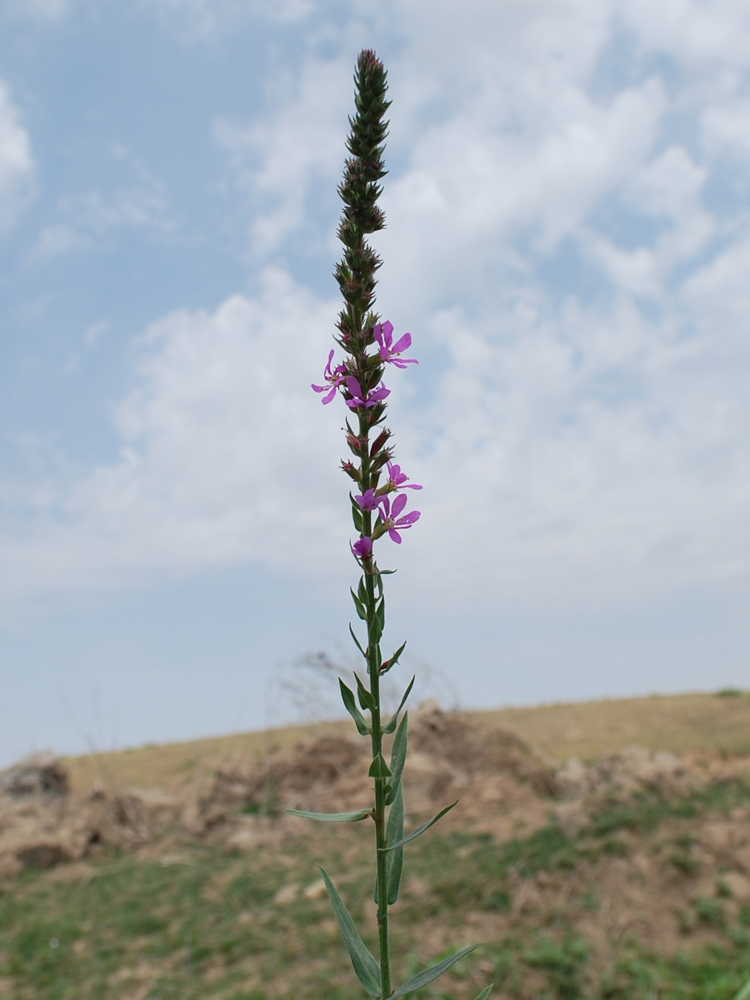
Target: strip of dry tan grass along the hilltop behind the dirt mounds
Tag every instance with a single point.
(581, 729)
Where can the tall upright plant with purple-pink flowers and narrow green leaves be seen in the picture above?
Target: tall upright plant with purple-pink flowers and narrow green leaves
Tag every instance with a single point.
(376, 511)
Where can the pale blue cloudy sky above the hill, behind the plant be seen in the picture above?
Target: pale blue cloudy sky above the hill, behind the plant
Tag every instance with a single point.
(568, 242)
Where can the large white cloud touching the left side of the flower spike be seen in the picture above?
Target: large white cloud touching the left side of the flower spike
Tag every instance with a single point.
(225, 455)
